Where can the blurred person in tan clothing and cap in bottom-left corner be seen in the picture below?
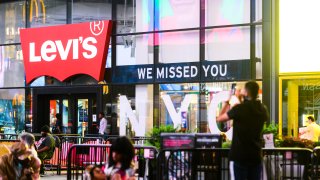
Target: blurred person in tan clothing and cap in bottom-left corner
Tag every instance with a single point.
(19, 163)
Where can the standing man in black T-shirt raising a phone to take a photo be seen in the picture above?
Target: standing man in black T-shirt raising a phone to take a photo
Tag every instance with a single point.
(248, 119)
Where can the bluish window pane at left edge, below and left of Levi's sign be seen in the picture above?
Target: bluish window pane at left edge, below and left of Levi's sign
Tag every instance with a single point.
(12, 110)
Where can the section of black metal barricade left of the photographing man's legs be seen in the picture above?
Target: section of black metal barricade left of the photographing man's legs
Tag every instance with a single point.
(193, 164)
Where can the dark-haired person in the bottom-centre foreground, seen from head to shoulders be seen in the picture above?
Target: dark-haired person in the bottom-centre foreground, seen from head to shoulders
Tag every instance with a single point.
(120, 166)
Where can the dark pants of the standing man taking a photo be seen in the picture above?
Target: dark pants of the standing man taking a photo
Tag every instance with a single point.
(247, 171)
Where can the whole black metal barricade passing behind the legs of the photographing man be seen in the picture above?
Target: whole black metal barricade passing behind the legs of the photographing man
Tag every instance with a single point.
(278, 163)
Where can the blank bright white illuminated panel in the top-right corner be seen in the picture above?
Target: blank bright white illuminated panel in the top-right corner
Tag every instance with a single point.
(299, 36)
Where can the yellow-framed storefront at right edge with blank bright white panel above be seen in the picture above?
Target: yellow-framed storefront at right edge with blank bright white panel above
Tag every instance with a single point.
(299, 64)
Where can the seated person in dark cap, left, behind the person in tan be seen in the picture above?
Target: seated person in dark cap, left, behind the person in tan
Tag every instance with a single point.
(45, 146)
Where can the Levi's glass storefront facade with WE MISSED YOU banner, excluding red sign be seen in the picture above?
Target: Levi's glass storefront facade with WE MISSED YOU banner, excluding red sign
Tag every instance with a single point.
(169, 63)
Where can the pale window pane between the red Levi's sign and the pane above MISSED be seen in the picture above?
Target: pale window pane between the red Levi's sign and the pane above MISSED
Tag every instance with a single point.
(133, 50)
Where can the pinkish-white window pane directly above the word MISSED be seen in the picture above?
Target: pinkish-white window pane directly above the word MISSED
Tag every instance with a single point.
(182, 46)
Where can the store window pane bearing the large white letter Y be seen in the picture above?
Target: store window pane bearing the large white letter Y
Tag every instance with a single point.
(179, 106)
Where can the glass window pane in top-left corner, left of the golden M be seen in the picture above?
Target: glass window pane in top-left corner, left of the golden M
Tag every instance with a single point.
(12, 19)
